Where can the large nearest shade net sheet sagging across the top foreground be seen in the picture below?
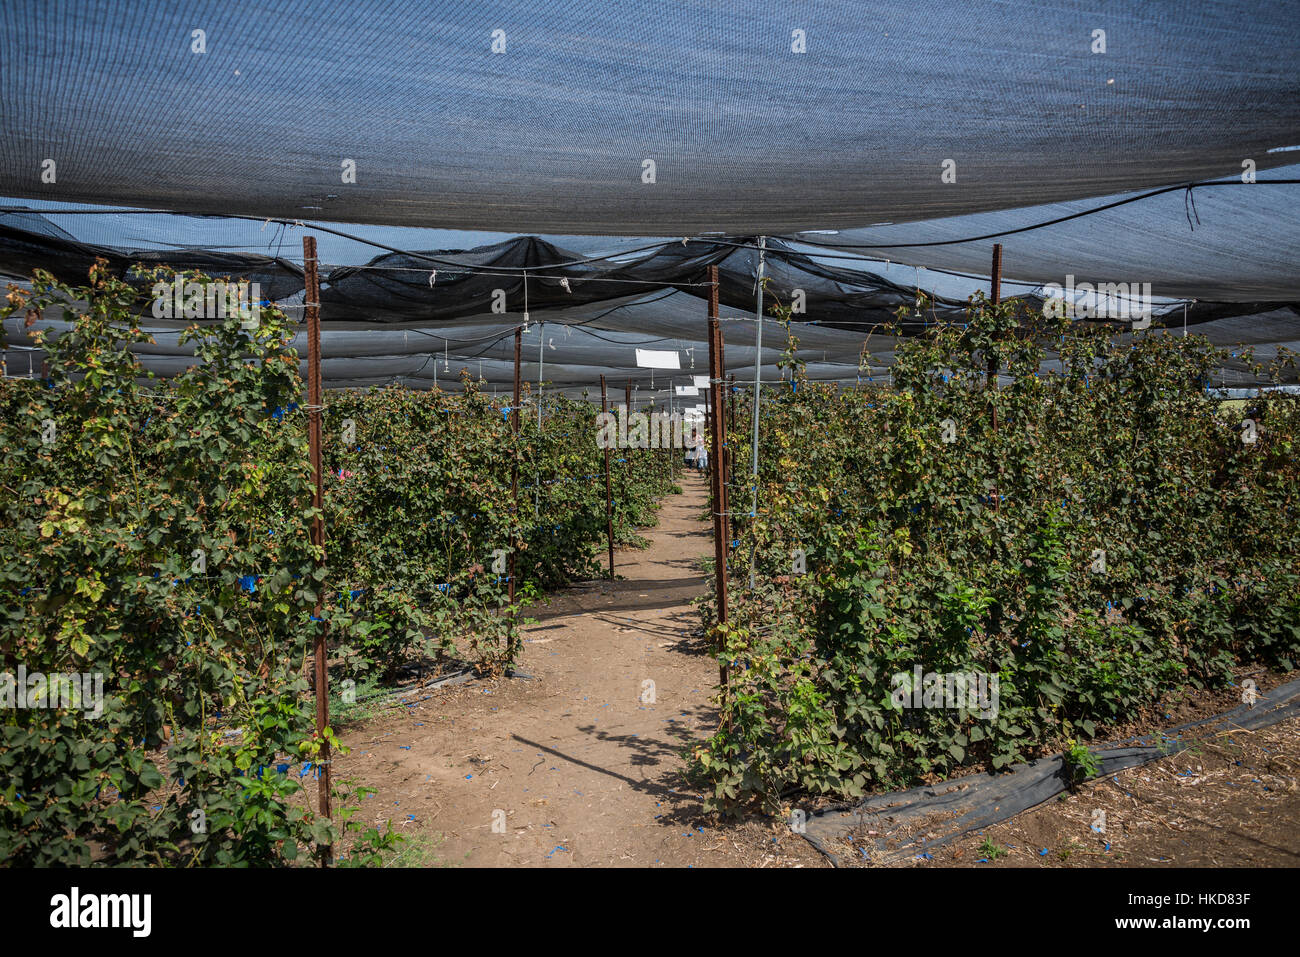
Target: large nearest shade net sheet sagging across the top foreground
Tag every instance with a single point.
(638, 118)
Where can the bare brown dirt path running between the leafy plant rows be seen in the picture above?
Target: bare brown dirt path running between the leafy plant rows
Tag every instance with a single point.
(579, 764)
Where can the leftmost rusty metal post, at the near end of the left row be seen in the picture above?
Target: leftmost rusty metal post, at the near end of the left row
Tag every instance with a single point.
(311, 304)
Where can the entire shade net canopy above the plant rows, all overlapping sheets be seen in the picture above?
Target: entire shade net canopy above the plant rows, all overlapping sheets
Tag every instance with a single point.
(852, 158)
